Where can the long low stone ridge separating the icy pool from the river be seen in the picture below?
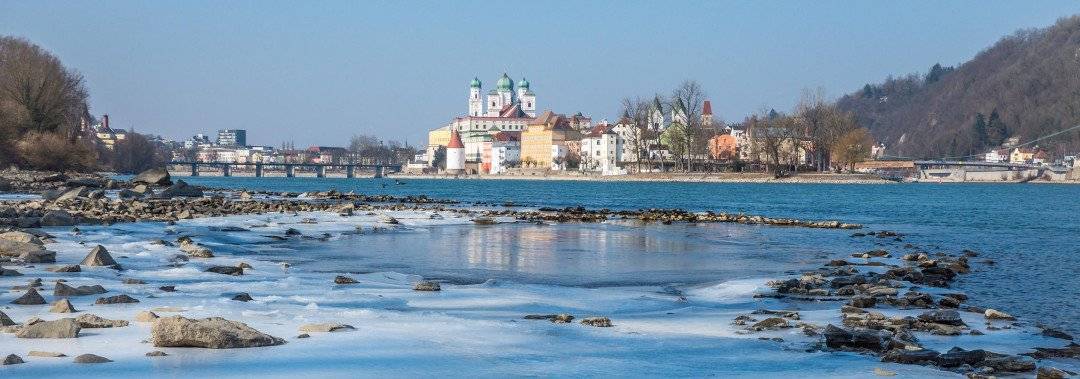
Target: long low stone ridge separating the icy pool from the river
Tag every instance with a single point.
(188, 207)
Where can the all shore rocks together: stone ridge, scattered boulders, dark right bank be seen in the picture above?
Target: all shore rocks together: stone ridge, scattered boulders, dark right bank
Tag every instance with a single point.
(888, 301)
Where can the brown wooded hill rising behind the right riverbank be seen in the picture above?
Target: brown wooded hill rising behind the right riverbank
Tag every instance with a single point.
(1027, 85)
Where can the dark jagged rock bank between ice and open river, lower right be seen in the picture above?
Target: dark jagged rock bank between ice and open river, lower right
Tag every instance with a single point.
(888, 302)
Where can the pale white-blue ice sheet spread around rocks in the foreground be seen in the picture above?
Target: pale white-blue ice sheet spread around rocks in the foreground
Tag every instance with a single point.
(466, 330)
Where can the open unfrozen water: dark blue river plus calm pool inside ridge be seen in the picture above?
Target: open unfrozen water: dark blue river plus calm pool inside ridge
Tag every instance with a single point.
(1031, 232)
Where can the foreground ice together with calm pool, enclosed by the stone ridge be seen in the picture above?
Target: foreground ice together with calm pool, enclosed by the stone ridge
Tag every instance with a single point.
(671, 291)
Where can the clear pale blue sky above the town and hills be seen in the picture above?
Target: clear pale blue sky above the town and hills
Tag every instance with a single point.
(320, 72)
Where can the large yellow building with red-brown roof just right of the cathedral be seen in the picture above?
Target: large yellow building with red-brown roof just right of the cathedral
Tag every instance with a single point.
(545, 141)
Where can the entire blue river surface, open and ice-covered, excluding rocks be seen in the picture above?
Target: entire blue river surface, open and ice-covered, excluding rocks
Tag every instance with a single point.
(671, 291)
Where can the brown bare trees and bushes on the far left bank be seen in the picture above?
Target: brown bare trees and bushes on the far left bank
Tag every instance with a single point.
(45, 115)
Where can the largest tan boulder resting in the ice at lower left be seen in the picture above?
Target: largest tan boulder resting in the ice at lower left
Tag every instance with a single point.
(213, 333)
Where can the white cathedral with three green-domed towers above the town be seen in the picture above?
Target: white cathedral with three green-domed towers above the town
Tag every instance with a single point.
(505, 101)
